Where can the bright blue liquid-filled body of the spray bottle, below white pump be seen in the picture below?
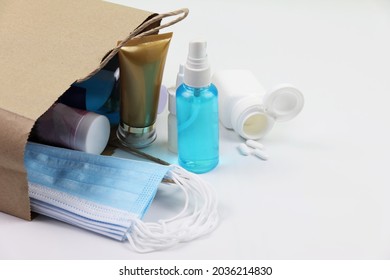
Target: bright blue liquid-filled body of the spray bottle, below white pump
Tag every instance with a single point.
(198, 127)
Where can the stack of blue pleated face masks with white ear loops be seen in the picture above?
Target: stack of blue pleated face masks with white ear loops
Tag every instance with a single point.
(110, 196)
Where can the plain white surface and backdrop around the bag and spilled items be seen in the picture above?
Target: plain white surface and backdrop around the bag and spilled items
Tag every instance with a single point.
(324, 193)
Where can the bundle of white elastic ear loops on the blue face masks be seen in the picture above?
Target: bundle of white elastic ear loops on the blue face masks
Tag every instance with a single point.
(198, 217)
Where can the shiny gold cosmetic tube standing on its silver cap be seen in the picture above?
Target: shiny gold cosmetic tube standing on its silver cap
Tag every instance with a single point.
(141, 63)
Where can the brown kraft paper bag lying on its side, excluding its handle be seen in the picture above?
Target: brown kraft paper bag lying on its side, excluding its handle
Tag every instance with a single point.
(45, 45)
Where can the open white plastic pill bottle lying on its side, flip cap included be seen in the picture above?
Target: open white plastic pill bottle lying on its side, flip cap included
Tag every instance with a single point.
(245, 107)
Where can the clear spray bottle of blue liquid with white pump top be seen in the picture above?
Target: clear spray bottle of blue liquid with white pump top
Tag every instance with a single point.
(197, 113)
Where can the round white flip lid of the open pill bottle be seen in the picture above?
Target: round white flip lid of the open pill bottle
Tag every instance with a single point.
(284, 102)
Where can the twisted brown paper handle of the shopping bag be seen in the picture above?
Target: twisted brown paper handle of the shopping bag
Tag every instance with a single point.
(136, 33)
